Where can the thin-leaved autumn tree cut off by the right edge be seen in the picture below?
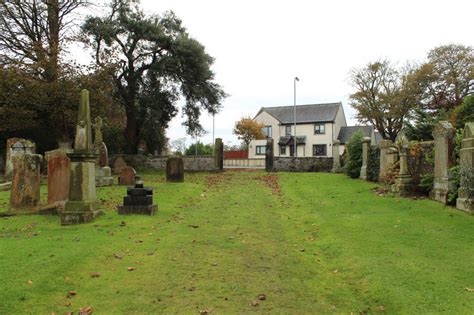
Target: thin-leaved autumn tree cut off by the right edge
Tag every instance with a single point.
(446, 78)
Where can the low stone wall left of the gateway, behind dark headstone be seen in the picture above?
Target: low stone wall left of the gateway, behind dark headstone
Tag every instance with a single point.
(191, 163)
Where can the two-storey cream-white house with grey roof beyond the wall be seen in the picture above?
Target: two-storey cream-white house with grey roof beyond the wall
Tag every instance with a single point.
(317, 127)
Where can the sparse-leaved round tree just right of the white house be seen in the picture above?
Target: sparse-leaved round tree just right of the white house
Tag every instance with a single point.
(383, 97)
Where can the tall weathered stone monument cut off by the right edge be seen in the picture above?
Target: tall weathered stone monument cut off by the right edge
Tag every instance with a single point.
(465, 199)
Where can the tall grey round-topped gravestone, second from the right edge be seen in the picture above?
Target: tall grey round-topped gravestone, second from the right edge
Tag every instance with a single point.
(443, 134)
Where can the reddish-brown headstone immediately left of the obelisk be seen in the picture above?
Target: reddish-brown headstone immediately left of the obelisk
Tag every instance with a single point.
(58, 176)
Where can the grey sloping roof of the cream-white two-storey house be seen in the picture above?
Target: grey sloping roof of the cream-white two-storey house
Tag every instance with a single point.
(304, 113)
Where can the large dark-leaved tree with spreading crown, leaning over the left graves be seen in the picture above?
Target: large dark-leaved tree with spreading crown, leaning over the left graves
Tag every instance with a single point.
(156, 62)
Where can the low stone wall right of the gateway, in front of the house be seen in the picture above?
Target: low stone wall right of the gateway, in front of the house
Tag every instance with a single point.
(302, 164)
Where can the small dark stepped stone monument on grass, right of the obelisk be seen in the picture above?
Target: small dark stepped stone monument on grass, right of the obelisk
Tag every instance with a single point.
(139, 200)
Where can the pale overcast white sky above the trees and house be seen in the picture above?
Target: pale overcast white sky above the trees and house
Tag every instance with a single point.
(259, 47)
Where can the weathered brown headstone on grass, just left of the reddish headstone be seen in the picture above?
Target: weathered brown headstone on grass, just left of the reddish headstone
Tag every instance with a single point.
(26, 181)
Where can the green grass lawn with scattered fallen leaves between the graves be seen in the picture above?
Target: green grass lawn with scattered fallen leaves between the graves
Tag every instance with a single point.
(311, 242)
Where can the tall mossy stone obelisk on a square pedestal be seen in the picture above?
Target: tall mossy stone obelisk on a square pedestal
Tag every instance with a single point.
(82, 204)
